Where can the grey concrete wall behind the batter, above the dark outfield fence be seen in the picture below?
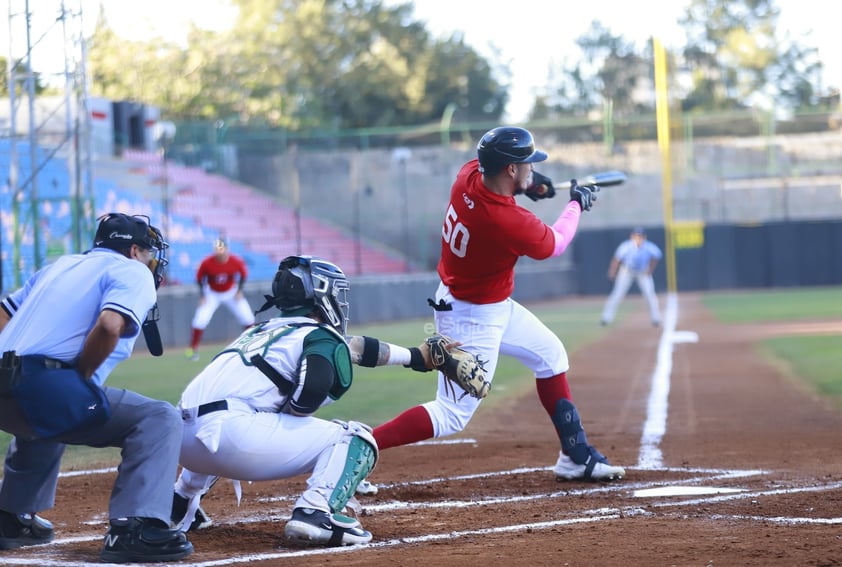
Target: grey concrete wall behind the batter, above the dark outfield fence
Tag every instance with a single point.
(400, 202)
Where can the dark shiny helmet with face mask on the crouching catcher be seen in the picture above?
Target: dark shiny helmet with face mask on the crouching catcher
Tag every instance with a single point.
(304, 284)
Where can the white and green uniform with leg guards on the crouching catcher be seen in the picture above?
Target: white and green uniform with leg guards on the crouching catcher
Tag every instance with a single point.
(250, 420)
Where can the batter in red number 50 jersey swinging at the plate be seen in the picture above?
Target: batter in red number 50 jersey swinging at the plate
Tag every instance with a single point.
(484, 233)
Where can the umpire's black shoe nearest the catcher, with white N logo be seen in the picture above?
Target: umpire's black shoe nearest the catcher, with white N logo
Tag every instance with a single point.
(143, 540)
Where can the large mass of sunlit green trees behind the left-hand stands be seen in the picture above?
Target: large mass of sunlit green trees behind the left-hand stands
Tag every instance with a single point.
(302, 64)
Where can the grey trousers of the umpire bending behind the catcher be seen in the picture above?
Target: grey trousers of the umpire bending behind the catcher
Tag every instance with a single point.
(147, 431)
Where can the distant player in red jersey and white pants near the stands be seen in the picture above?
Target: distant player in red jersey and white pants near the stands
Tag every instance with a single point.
(221, 277)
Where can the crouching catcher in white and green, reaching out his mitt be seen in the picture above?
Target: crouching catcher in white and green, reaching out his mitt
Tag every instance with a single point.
(249, 414)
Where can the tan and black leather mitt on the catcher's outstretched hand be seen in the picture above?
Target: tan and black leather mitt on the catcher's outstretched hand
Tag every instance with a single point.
(459, 366)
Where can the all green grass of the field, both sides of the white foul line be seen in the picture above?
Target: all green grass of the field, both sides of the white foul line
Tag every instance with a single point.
(379, 394)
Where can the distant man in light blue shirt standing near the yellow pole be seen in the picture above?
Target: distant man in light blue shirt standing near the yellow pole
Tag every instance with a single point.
(633, 261)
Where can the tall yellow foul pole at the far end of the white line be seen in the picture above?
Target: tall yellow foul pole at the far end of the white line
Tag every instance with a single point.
(662, 117)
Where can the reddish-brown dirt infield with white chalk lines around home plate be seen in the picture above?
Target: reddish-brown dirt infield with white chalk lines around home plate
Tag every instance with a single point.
(748, 471)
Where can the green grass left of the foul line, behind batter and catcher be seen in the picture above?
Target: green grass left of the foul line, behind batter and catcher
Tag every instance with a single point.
(378, 394)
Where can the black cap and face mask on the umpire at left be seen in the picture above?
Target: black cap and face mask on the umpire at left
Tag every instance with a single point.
(119, 231)
